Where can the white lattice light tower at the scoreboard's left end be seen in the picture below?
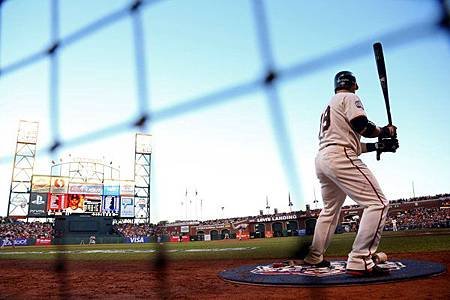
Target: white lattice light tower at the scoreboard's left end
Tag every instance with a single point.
(19, 194)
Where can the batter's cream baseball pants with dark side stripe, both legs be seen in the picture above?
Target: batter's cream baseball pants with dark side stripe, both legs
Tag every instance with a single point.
(342, 173)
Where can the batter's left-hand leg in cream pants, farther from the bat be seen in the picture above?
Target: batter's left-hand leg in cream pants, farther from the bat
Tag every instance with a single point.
(333, 198)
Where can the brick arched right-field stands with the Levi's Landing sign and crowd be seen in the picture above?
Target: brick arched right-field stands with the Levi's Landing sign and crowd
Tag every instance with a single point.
(422, 211)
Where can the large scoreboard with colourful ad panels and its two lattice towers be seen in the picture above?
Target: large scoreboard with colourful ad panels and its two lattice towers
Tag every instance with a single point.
(81, 186)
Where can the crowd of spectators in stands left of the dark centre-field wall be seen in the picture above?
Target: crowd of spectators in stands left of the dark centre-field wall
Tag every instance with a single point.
(19, 229)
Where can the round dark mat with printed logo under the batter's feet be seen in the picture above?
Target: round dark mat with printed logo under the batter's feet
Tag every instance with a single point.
(289, 274)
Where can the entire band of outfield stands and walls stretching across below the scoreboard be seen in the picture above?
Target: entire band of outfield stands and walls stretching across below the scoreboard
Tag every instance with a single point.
(409, 214)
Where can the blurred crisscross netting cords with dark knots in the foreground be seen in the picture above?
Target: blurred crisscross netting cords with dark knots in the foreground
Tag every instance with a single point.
(268, 82)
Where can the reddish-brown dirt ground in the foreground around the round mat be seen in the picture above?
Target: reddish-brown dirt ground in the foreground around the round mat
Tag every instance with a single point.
(31, 279)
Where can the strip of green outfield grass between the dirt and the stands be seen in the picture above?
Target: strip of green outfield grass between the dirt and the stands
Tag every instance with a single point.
(391, 242)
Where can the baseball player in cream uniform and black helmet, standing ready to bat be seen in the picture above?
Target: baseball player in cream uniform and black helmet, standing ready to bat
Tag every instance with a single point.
(341, 173)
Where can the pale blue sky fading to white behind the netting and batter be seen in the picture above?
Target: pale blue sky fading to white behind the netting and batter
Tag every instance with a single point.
(229, 151)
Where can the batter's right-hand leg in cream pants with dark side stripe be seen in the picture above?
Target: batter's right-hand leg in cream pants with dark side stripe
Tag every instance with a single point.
(360, 184)
